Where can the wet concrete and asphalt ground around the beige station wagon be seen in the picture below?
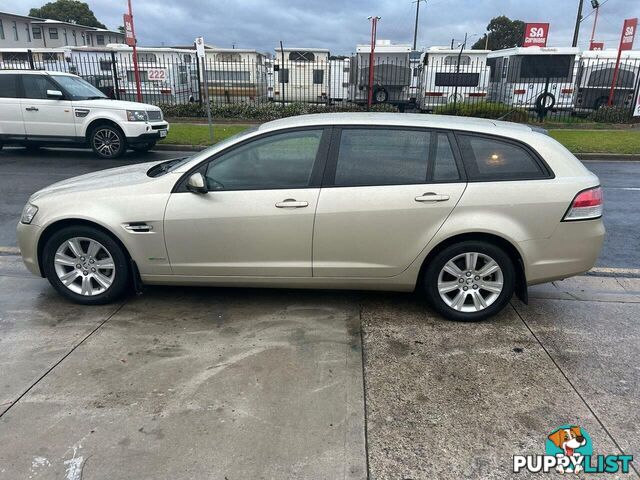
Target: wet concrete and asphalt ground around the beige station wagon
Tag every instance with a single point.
(241, 384)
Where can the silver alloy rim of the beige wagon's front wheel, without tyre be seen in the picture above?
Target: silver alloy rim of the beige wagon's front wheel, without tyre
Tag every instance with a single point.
(84, 266)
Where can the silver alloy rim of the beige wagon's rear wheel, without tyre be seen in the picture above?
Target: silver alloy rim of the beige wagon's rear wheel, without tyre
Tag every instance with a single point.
(470, 282)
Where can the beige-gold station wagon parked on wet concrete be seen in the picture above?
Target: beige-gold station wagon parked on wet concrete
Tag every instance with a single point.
(467, 211)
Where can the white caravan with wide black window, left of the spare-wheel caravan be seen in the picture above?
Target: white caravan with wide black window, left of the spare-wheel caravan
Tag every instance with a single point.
(453, 75)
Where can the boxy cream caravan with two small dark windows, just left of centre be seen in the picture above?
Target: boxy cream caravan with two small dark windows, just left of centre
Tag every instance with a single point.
(301, 75)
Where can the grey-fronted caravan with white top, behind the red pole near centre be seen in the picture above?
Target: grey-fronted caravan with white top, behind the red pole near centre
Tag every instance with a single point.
(392, 74)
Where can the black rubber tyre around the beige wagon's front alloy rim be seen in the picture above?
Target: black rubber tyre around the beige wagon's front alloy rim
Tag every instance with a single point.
(122, 275)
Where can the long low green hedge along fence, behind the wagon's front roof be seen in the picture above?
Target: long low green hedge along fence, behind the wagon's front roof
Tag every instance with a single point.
(264, 111)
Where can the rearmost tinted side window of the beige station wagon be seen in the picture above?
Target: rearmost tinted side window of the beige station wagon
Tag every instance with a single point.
(487, 159)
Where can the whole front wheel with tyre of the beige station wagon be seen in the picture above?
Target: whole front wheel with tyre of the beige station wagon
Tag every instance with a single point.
(86, 265)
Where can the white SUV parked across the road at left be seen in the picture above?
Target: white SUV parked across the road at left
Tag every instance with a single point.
(59, 109)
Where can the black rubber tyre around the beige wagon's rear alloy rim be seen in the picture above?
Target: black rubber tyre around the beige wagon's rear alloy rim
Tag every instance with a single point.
(437, 263)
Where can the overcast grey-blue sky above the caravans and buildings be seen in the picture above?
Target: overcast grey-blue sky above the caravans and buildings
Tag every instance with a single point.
(340, 24)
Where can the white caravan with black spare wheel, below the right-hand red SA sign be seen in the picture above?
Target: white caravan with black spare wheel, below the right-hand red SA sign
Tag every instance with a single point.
(534, 78)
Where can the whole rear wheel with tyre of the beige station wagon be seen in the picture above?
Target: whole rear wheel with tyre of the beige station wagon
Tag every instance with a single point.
(470, 281)
